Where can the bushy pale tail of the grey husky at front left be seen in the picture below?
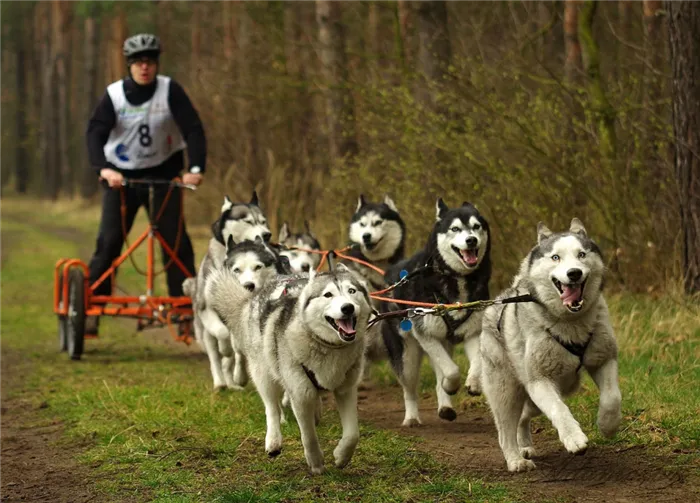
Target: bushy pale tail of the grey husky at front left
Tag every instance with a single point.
(226, 297)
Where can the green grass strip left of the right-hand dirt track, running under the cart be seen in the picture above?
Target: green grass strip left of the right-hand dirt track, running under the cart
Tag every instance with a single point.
(143, 405)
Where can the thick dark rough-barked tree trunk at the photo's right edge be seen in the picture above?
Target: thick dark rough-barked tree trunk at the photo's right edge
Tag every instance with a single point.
(684, 43)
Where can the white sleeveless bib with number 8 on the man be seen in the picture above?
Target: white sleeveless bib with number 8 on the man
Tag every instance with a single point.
(145, 135)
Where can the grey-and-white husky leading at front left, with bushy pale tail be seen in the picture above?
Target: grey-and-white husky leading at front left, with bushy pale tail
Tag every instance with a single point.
(303, 335)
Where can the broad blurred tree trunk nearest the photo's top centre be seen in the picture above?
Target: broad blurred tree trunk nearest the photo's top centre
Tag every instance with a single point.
(339, 100)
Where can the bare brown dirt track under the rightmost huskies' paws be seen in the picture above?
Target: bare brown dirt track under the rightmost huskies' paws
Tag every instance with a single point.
(470, 445)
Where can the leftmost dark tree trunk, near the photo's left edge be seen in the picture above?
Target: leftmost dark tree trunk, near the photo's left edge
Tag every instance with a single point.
(21, 111)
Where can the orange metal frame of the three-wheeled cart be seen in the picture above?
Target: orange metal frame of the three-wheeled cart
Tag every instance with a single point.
(146, 308)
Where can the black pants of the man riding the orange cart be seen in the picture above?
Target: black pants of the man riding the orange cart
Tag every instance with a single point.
(110, 238)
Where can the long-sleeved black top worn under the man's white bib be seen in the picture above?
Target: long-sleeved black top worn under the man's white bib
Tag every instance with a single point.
(104, 119)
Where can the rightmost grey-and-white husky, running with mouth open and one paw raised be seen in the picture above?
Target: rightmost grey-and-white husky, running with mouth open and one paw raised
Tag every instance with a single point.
(532, 352)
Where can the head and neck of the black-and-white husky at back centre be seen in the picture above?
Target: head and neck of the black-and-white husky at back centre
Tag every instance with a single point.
(379, 234)
